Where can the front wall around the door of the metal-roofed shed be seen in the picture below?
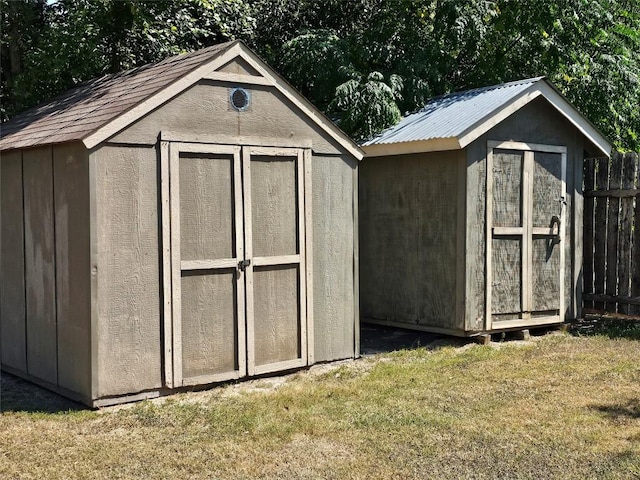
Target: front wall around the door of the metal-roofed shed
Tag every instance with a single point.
(537, 122)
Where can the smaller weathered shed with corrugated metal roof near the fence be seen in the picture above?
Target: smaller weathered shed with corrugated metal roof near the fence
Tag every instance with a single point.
(471, 212)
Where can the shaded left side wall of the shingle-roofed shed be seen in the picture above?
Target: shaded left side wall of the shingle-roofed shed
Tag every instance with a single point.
(45, 266)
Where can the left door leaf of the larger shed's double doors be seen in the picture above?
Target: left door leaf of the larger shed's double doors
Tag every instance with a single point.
(206, 246)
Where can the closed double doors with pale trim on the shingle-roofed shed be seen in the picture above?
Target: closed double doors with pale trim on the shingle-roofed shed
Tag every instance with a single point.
(237, 304)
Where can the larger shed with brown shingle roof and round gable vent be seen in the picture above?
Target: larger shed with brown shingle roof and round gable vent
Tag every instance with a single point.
(180, 224)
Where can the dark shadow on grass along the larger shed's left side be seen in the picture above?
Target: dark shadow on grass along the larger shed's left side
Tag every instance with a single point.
(18, 395)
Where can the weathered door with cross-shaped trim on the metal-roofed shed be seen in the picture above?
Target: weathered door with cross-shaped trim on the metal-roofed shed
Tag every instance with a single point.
(525, 234)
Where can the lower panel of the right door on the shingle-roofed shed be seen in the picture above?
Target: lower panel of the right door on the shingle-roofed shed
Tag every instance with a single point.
(276, 314)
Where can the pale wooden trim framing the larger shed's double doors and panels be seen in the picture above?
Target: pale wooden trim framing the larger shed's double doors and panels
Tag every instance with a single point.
(171, 263)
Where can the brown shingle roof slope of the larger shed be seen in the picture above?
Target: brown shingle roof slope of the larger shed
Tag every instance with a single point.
(85, 108)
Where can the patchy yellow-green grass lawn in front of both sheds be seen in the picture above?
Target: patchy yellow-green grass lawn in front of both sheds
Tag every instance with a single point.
(559, 406)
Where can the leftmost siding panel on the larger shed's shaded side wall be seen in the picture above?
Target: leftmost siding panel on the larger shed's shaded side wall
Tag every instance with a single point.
(12, 287)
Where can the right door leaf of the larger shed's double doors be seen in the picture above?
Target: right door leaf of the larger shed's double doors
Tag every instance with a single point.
(274, 222)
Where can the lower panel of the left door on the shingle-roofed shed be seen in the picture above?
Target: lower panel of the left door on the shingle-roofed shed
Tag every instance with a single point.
(209, 323)
